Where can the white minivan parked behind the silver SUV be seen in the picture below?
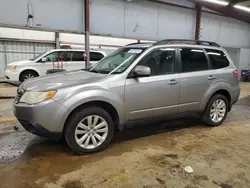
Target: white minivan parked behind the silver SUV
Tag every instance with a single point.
(71, 60)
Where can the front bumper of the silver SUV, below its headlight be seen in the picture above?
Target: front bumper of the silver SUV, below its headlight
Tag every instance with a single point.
(43, 119)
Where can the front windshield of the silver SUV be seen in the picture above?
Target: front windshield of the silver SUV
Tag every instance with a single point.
(118, 61)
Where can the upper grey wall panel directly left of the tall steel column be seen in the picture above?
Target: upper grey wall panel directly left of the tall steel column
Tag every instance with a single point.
(59, 14)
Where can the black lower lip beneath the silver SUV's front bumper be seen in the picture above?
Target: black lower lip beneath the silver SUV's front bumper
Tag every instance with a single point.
(37, 129)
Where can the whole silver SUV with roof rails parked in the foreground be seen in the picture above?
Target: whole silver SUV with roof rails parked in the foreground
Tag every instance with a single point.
(137, 82)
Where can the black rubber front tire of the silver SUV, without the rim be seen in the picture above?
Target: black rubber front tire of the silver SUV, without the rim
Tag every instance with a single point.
(76, 118)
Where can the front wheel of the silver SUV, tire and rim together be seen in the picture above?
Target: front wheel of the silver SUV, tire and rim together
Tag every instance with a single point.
(89, 130)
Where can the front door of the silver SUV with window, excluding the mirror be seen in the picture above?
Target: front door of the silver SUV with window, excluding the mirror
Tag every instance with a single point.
(158, 94)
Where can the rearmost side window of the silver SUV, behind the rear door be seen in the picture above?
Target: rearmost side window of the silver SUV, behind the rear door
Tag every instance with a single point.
(218, 59)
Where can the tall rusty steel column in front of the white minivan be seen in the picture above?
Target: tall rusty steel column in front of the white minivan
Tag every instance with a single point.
(87, 33)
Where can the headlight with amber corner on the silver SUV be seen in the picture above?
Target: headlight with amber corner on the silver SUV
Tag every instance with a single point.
(30, 97)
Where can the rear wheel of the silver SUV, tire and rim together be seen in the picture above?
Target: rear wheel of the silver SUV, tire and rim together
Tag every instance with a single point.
(216, 110)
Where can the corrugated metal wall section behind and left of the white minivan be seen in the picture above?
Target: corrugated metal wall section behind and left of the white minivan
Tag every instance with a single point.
(11, 51)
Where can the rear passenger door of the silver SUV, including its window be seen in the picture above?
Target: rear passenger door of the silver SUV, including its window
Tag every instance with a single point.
(195, 78)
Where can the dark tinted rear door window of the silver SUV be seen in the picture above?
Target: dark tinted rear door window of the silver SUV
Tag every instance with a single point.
(193, 60)
